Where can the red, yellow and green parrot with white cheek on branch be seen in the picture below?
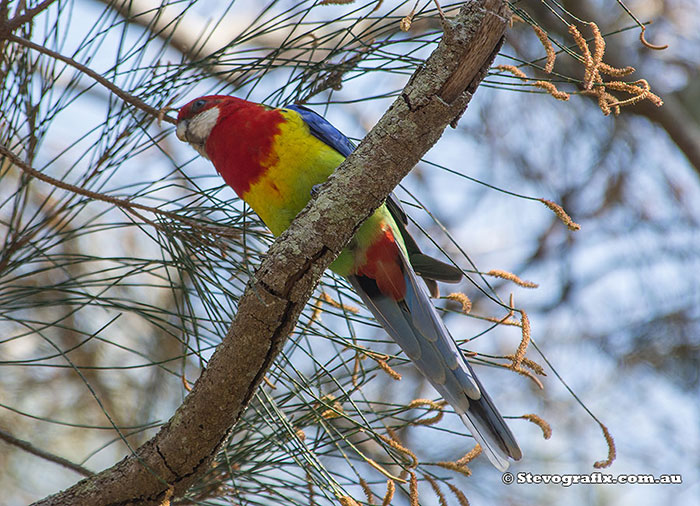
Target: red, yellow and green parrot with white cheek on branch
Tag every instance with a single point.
(274, 159)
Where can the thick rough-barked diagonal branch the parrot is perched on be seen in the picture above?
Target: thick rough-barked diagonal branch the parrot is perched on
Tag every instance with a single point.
(435, 96)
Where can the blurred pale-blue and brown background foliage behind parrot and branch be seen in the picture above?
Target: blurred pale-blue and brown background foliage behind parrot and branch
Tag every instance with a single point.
(104, 311)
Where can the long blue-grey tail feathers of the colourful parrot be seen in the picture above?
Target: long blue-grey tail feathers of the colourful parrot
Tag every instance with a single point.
(418, 329)
